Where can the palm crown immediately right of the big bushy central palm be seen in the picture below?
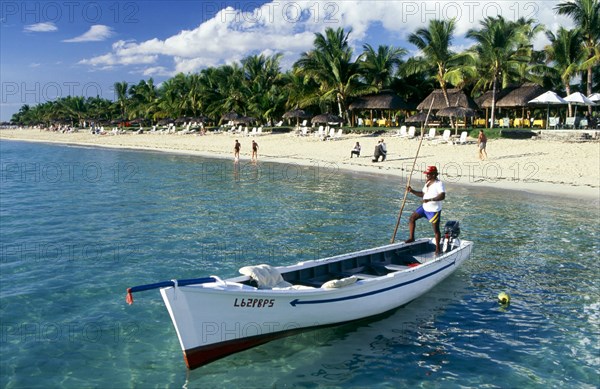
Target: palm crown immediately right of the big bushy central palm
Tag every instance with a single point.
(378, 67)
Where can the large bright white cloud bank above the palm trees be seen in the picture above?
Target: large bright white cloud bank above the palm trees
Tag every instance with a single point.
(289, 27)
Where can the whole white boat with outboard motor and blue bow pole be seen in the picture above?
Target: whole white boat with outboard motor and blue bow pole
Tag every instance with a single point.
(215, 318)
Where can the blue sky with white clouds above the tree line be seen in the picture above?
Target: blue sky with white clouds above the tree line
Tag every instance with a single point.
(52, 49)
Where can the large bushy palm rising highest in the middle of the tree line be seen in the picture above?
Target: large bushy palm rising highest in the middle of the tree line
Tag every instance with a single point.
(330, 65)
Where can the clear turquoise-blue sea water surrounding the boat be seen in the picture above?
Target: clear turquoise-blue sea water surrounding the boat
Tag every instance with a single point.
(79, 225)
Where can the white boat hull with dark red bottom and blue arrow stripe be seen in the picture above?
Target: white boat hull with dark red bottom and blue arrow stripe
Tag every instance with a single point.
(220, 318)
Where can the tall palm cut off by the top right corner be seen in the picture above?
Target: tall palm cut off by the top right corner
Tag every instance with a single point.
(586, 14)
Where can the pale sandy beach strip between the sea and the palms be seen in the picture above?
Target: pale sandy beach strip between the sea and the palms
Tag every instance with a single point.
(548, 167)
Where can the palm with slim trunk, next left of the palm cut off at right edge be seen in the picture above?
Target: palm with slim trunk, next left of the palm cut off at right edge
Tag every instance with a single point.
(566, 55)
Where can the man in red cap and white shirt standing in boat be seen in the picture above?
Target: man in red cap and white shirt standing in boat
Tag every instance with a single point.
(433, 194)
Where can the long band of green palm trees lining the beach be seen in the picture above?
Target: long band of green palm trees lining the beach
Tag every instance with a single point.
(326, 79)
